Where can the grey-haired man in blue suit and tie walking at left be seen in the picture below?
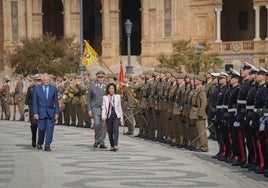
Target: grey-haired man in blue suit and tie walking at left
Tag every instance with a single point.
(45, 110)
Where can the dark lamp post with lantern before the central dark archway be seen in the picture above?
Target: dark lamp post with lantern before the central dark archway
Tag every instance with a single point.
(128, 27)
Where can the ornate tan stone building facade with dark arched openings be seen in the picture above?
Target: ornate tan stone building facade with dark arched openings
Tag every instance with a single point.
(237, 30)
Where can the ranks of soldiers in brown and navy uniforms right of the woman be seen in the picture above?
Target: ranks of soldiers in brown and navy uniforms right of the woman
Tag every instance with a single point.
(177, 109)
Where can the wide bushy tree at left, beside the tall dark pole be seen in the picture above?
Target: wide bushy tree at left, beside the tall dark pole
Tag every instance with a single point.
(45, 54)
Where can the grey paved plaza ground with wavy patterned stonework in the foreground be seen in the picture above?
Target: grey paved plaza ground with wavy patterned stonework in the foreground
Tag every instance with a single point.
(75, 163)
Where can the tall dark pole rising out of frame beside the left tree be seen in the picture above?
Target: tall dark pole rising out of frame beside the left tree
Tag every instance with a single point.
(81, 66)
